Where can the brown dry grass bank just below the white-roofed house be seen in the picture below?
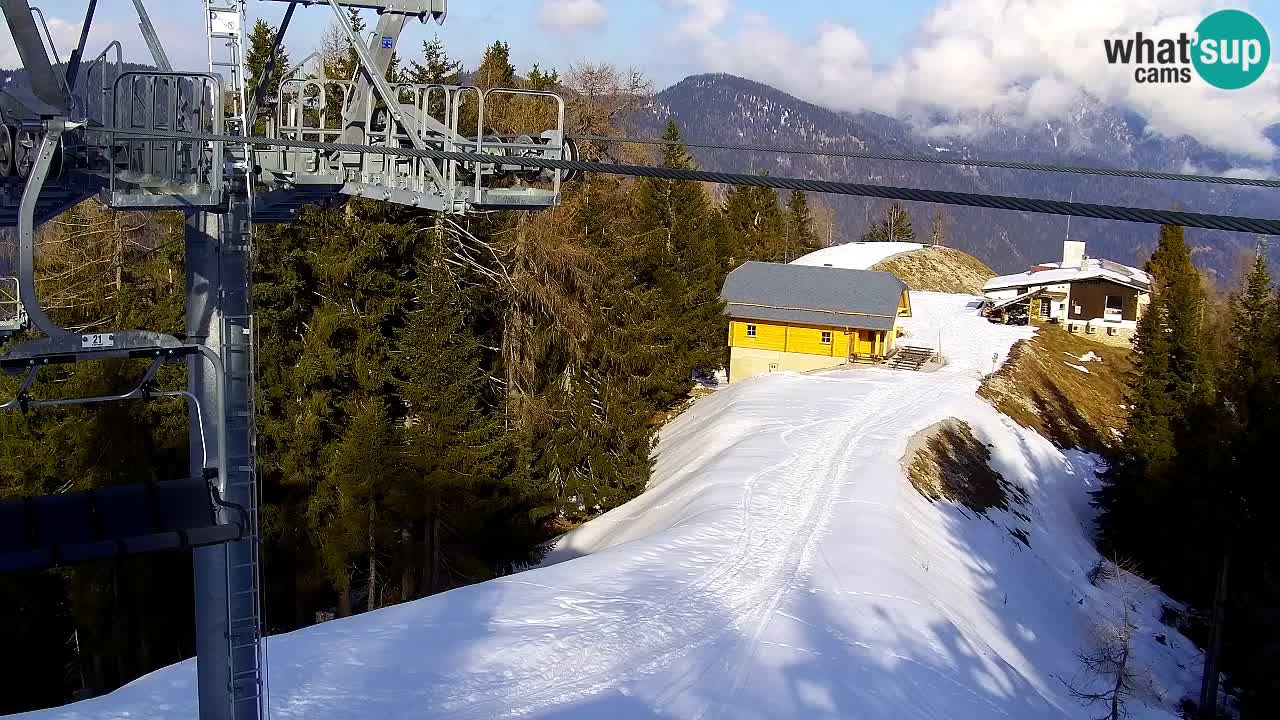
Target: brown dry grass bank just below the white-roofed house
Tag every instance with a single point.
(1073, 409)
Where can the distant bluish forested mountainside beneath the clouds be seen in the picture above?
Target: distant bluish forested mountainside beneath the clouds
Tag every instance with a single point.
(728, 110)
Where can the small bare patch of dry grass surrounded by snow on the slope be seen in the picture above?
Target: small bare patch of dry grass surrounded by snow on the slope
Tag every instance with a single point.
(947, 462)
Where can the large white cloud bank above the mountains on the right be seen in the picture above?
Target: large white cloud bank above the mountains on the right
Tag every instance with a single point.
(1021, 61)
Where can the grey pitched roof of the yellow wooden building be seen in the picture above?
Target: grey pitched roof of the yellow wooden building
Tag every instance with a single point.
(813, 295)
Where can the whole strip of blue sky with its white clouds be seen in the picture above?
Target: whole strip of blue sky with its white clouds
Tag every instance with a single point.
(1023, 61)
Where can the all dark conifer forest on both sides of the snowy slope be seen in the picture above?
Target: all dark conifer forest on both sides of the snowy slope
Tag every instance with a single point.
(442, 397)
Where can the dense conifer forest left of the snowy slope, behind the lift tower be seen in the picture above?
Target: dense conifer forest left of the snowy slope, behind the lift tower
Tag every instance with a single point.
(438, 398)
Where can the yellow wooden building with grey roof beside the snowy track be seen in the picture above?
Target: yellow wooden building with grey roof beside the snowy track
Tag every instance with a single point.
(807, 318)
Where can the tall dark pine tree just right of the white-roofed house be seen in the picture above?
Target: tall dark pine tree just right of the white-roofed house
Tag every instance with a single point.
(1174, 435)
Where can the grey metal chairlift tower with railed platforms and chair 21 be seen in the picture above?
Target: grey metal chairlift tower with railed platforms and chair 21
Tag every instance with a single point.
(145, 142)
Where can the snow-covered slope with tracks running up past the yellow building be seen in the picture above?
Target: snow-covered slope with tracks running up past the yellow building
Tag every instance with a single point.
(780, 567)
